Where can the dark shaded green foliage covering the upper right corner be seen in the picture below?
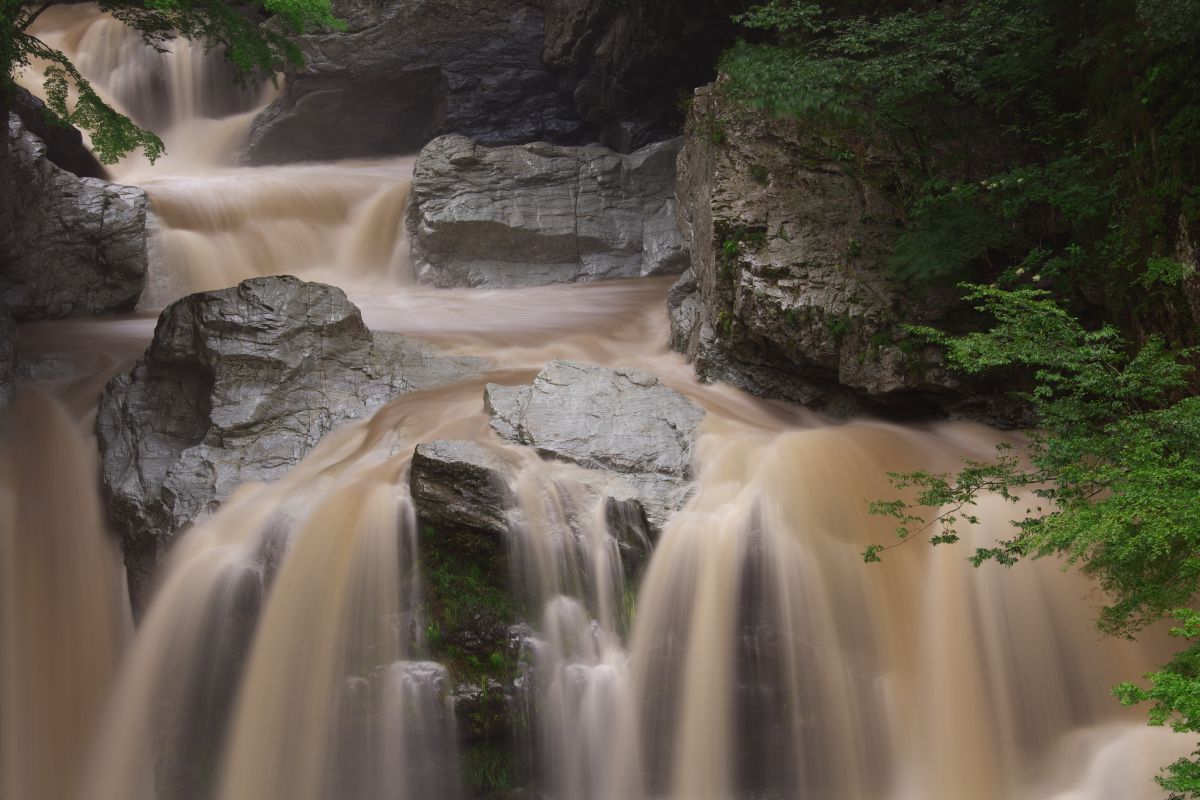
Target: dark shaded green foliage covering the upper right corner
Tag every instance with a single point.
(1022, 137)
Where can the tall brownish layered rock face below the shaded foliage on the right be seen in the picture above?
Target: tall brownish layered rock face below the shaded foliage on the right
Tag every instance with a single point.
(787, 296)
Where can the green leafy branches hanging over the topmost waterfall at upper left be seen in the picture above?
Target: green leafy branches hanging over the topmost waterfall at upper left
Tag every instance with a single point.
(255, 50)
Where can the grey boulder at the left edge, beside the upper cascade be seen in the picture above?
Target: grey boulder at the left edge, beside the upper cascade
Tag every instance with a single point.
(69, 245)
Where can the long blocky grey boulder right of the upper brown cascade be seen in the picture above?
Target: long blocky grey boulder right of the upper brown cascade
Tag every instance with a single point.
(537, 214)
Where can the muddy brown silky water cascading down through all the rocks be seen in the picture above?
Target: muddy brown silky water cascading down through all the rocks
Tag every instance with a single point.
(283, 655)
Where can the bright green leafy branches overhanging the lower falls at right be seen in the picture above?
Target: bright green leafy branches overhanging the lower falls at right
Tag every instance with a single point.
(1109, 482)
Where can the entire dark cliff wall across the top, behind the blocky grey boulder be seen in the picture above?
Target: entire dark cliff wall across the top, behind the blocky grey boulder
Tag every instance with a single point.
(500, 73)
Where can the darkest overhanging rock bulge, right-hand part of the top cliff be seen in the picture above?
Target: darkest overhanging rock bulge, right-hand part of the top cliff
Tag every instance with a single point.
(628, 63)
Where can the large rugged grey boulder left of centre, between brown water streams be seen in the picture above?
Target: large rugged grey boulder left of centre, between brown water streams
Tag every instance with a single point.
(239, 386)
